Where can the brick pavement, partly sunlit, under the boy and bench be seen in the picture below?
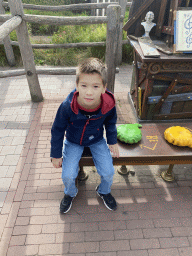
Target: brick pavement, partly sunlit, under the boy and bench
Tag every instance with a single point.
(154, 218)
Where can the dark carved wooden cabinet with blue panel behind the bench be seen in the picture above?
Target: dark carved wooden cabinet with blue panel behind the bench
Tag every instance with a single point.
(161, 87)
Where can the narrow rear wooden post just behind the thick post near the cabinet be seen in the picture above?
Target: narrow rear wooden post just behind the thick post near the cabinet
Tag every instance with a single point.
(123, 4)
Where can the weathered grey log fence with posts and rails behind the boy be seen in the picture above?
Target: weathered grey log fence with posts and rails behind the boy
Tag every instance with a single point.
(17, 20)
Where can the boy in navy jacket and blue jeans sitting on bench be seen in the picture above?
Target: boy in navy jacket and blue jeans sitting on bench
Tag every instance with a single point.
(83, 114)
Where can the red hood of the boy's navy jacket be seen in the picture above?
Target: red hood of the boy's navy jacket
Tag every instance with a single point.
(107, 102)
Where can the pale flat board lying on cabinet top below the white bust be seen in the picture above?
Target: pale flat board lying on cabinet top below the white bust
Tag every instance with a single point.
(148, 48)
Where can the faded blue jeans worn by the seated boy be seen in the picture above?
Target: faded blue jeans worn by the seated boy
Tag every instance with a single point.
(102, 159)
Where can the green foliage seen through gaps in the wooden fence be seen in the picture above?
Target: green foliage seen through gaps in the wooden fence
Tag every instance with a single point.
(65, 34)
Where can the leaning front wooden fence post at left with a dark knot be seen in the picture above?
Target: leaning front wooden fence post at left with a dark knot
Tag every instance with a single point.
(26, 52)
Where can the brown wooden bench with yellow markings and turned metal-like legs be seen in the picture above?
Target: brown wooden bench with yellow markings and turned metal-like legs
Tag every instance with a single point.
(153, 149)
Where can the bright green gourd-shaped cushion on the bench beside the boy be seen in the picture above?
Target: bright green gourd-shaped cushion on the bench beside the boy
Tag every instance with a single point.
(129, 133)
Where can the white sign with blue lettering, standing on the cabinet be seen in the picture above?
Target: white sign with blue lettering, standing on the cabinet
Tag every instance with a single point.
(183, 31)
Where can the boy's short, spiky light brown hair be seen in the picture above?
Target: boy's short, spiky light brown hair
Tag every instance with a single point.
(90, 66)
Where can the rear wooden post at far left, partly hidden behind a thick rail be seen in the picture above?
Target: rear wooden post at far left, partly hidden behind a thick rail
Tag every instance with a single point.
(7, 43)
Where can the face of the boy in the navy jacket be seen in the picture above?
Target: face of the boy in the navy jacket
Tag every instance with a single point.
(90, 88)
